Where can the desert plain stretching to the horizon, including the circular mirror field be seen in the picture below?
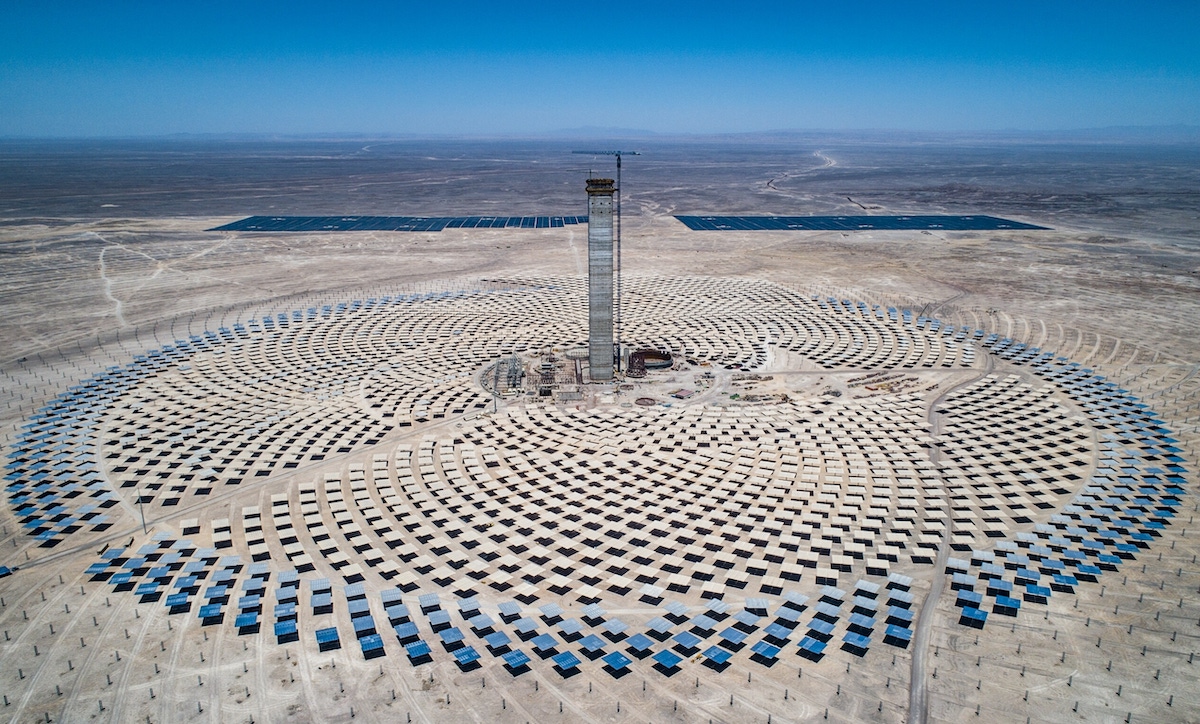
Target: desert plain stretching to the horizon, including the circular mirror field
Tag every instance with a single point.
(316, 432)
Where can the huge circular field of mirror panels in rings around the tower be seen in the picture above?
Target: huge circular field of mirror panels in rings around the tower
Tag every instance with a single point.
(341, 476)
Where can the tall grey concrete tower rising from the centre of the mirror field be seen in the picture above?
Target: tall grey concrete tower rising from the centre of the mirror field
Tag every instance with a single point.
(601, 354)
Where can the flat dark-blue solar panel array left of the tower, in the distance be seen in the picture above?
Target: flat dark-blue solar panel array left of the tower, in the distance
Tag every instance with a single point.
(394, 224)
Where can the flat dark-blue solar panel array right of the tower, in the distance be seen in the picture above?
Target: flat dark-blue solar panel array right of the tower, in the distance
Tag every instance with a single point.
(851, 224)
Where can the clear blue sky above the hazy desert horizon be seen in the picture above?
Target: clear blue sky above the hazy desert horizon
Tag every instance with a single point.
(131, 69)
